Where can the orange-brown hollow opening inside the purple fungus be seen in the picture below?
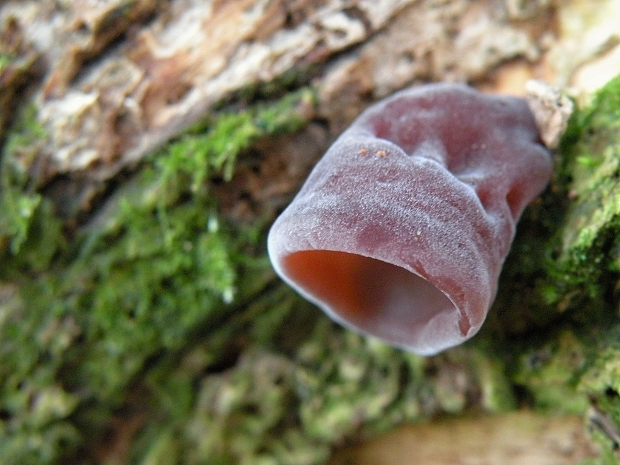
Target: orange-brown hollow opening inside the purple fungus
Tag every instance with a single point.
(374, 296)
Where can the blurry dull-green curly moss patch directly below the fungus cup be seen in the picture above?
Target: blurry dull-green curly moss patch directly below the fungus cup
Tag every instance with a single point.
(281, 406)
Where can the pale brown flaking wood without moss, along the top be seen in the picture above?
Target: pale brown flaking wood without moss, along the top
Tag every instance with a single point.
(124, 77)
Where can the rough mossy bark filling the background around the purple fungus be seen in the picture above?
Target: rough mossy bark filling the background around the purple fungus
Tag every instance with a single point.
(148, 144)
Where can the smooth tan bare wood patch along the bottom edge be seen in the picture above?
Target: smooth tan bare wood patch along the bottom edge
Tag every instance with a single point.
(513, 439)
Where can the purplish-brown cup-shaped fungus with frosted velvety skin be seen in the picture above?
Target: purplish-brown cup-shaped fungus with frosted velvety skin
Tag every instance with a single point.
(402, 228)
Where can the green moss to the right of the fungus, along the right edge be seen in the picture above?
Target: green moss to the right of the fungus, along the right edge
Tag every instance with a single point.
(569, 362)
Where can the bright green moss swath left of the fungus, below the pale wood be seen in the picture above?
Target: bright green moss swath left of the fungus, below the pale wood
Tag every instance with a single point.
(88, 315)
